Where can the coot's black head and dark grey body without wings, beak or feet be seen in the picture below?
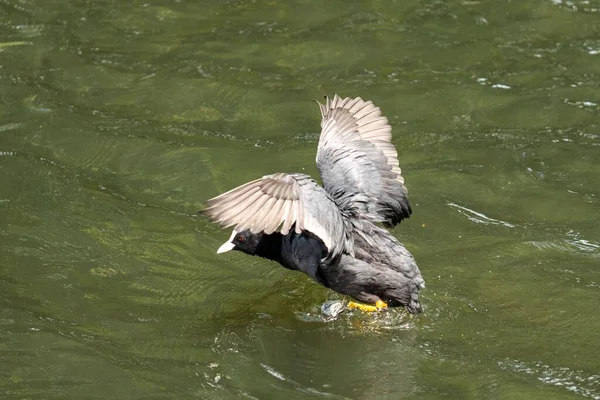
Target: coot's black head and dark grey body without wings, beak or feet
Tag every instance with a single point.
(386, 273)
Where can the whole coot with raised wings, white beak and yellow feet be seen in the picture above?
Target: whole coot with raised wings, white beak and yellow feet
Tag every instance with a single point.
(334, 233)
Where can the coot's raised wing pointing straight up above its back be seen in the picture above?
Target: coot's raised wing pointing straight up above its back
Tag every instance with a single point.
(355, 155)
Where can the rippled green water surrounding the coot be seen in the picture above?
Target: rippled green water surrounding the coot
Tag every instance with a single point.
(119, 119)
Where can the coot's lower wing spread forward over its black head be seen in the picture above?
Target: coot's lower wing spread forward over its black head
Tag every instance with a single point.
(279, 202)
